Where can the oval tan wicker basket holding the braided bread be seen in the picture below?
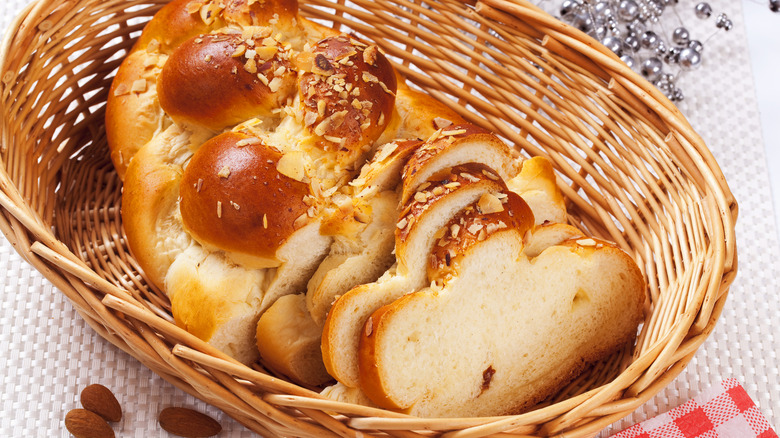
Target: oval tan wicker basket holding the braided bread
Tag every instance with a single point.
(631, 166)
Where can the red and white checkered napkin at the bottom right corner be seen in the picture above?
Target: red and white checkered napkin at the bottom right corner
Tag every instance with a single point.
(720, 412)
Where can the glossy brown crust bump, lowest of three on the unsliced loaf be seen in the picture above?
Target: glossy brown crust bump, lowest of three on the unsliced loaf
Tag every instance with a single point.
(233, 198)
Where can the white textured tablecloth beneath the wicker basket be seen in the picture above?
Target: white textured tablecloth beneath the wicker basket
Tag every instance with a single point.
(48, 354)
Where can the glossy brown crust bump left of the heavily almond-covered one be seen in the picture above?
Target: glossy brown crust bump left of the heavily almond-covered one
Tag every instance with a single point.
(220, 80)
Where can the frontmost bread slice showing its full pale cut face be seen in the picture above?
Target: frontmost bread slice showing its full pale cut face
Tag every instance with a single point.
(504, 331)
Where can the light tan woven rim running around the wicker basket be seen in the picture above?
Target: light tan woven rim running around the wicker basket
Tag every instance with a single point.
(100, 301)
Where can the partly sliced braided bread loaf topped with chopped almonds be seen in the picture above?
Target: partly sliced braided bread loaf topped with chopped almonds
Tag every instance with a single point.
(282, 184)
